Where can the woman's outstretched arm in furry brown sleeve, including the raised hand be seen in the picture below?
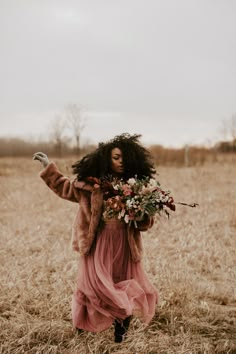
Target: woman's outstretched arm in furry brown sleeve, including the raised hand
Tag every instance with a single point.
(55, 180)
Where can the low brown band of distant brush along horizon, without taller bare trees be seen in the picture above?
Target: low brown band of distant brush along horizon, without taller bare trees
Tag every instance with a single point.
(186, 156)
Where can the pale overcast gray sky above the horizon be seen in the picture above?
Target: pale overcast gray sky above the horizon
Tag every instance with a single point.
(162, 68)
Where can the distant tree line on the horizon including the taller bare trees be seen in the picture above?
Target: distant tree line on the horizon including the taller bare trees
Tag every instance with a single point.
(73, 120)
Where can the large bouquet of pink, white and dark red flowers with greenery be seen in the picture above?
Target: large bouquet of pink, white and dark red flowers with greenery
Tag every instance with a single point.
(131, 200)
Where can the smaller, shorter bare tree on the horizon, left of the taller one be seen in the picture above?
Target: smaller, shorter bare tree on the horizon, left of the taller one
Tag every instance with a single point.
(58, 133)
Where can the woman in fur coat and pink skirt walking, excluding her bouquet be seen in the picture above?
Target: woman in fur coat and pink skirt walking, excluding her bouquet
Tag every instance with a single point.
(112, 285)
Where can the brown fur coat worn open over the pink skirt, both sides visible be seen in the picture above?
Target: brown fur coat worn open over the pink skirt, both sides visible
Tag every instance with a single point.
(88, 219)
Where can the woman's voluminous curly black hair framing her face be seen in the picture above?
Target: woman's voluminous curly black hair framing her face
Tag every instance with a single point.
(137, 160)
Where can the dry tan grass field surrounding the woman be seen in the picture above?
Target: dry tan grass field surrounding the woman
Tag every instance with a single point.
(190, 258)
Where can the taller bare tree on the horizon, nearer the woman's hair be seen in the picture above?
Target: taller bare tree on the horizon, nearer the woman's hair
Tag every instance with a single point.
(75, 120)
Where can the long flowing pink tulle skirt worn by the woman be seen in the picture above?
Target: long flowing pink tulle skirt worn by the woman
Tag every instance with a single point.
(110, 285)
